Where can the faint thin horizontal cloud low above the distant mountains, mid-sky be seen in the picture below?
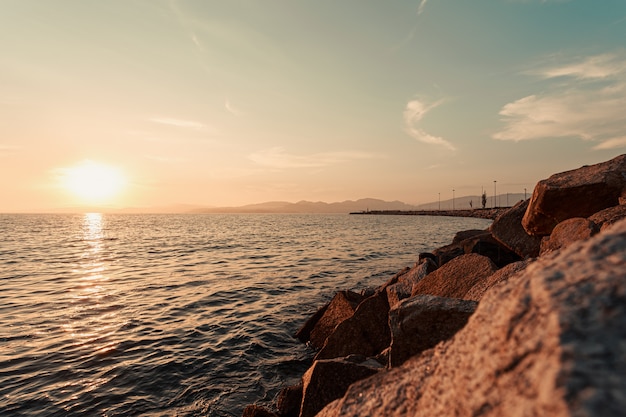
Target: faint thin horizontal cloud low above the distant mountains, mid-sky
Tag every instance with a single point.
(277, 157)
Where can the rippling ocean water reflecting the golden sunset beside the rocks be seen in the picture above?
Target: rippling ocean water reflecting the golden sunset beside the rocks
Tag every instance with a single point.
(179, 315)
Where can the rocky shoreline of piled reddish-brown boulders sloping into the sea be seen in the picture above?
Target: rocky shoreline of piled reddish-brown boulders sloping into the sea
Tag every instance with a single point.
(525, 318)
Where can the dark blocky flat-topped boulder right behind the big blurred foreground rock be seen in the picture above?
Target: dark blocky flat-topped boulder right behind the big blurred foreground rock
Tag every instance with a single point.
(419, 323)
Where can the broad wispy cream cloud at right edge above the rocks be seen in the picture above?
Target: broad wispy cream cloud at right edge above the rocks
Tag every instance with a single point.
(585, 99)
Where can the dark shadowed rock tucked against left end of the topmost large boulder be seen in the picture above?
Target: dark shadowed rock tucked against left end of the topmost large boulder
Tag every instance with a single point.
(508, 230)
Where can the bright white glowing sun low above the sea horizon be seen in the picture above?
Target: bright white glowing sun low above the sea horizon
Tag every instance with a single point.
(93, 182)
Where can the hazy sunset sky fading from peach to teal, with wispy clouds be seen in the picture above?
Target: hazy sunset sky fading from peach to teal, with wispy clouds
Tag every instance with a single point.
(146, 103)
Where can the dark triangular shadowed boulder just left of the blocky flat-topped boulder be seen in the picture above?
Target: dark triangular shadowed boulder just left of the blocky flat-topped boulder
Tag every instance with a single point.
(365, 333)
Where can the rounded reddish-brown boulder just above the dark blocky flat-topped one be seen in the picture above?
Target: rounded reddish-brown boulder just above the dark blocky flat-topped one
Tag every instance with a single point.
(457, 277)
